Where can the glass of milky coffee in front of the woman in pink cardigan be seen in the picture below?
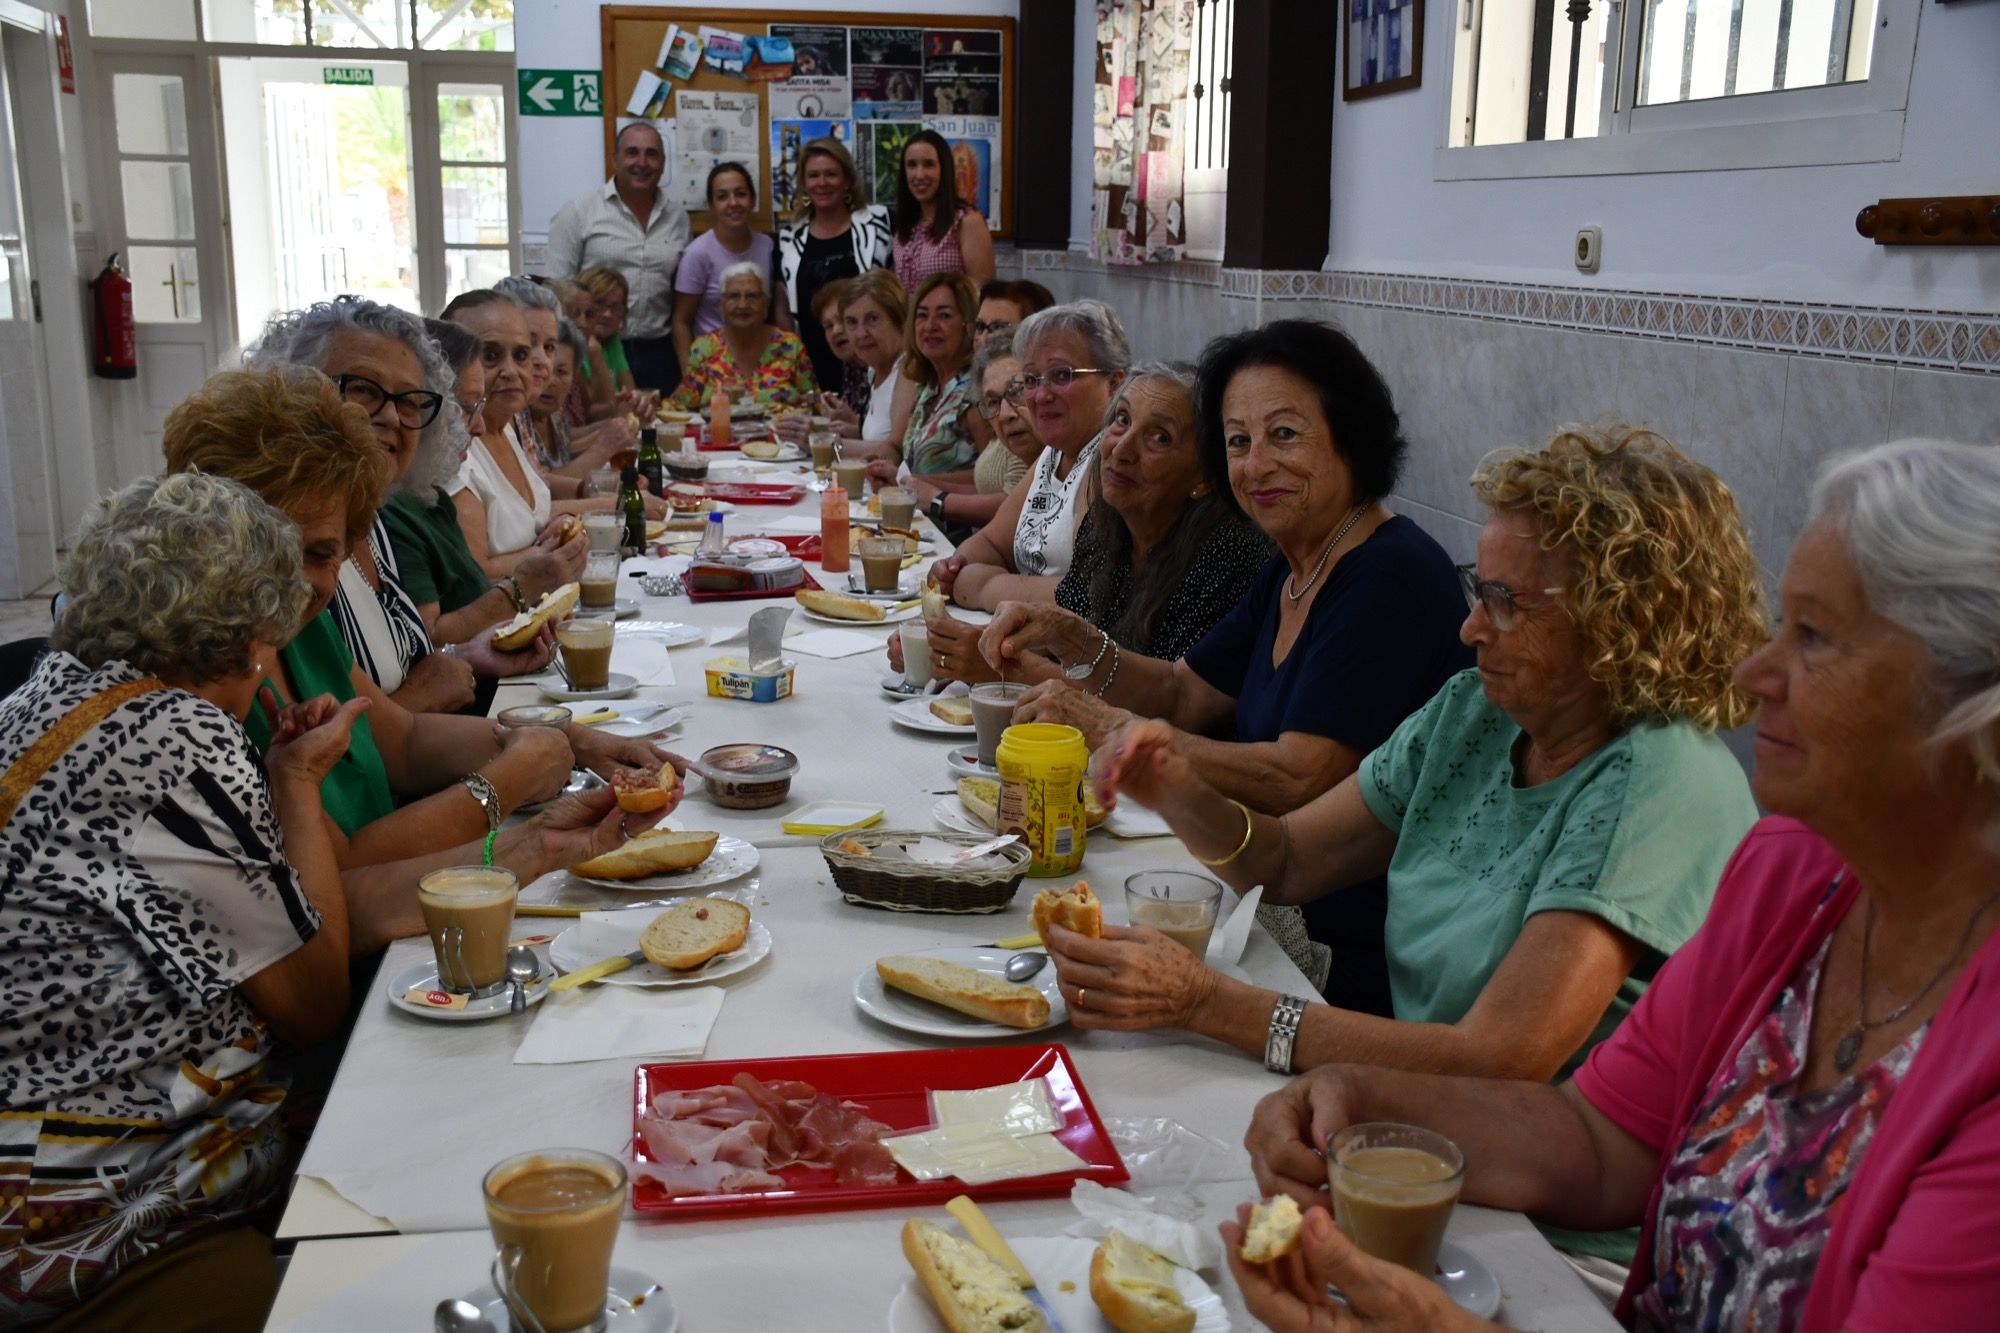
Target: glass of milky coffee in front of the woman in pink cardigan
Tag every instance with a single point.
(1395, 1188)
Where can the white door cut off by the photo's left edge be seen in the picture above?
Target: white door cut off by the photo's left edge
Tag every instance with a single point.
(27, 437)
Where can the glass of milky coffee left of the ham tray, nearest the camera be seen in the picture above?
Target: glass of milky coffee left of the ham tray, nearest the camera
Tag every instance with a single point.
(555, 1222)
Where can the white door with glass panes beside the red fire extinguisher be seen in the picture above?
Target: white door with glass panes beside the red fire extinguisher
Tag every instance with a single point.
(169, 229)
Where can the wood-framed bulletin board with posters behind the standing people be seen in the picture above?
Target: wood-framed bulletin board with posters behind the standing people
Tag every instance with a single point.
(865, 79)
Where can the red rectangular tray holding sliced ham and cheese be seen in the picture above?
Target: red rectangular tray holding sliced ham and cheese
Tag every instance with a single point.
(893, 1088)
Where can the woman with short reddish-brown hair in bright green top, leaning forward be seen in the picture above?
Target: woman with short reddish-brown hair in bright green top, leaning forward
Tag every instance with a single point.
(289, 435)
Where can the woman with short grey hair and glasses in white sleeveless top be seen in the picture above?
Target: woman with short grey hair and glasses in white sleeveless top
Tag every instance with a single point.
(1073, 359)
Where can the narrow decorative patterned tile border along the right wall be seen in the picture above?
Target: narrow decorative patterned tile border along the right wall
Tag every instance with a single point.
(1887, 335)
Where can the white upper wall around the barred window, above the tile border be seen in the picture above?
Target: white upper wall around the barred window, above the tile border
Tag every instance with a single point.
(1749, 233)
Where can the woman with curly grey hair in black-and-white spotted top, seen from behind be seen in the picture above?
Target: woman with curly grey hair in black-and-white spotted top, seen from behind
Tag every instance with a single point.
(171, 908)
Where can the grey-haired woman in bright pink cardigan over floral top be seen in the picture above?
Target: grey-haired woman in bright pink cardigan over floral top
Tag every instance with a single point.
(1805, 1110)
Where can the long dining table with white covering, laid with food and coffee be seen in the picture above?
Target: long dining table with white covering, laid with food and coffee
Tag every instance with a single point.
(387, 1216)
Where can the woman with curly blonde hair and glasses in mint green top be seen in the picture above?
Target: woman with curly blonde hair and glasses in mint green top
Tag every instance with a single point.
(1553, 824)
